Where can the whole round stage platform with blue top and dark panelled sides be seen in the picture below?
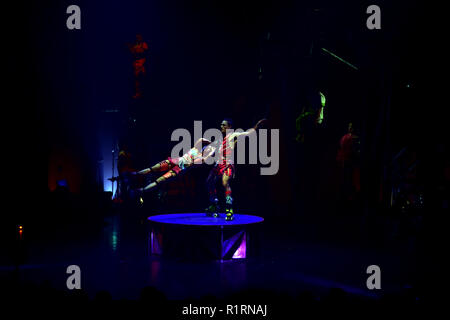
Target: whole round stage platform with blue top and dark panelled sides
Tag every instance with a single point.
(196, 235)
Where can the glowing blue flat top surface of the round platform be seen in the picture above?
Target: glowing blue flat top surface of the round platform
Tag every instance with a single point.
(200, 219)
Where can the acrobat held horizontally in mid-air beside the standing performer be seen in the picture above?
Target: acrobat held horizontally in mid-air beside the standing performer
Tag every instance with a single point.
(201, 151)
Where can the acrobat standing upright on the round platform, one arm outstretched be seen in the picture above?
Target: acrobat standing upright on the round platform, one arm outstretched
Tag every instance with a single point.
(223, 169)
